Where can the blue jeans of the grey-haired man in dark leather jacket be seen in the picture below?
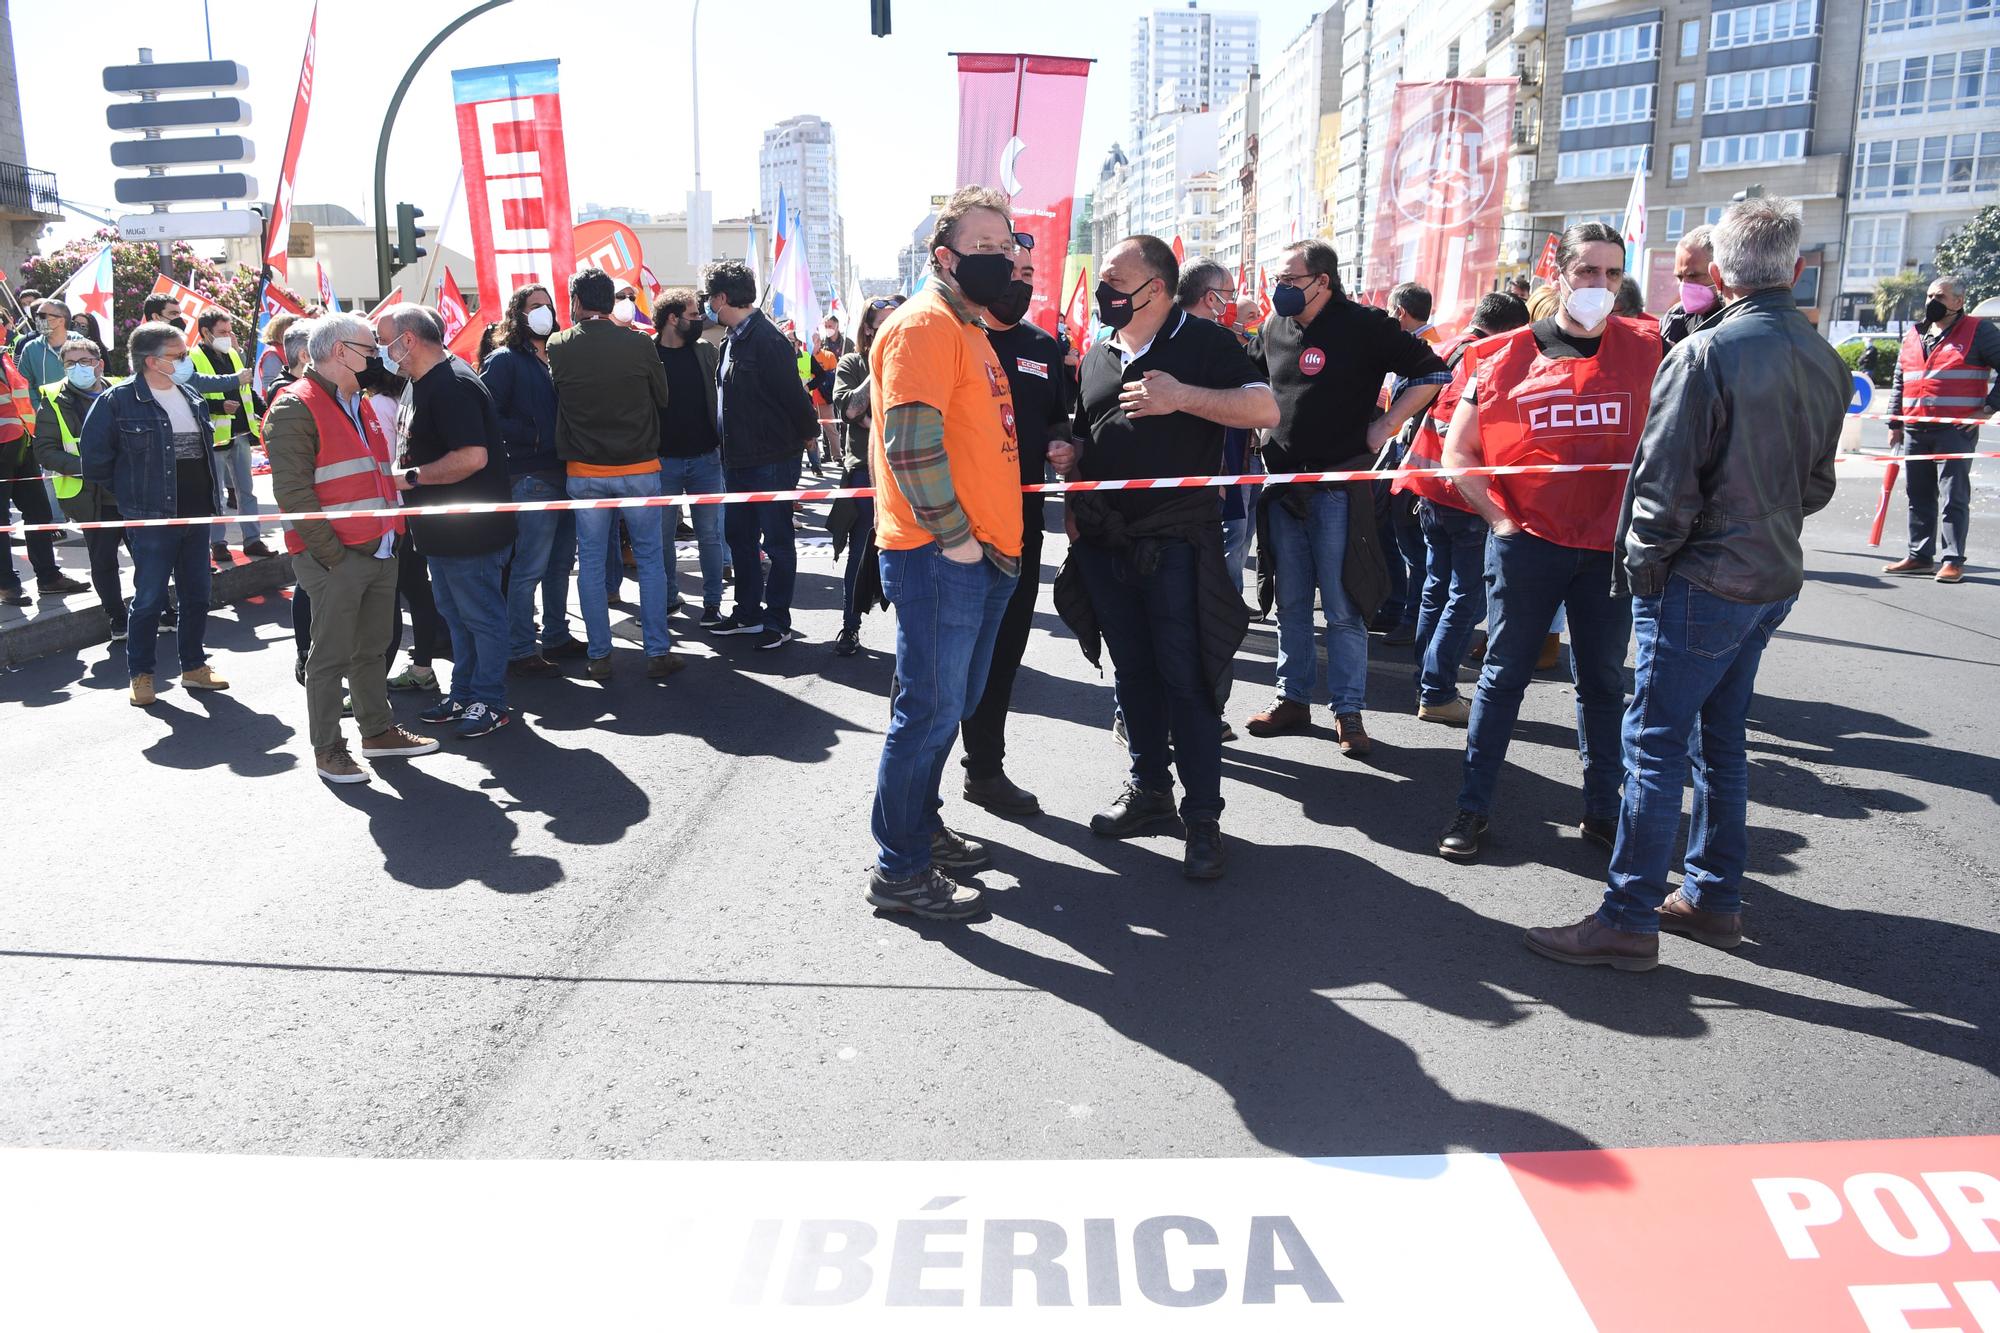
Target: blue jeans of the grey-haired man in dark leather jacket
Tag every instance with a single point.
(1697, 670)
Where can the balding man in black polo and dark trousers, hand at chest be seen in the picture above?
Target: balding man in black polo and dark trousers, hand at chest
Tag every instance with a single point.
(1147, 571)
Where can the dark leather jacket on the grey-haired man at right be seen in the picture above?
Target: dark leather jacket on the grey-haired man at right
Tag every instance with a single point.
(1737, 451)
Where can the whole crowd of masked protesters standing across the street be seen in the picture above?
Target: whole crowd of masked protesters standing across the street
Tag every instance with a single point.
(947, 403)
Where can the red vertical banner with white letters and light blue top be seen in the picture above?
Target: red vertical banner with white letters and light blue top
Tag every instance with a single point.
(517, 179)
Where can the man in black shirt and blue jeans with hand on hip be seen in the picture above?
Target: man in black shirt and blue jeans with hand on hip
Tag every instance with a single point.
(1327, 359)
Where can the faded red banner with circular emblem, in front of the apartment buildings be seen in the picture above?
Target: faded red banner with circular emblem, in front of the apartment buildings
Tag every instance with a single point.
(1443, 193)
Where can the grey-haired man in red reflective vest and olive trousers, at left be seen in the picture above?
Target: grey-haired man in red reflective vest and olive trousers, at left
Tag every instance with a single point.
(331, 453)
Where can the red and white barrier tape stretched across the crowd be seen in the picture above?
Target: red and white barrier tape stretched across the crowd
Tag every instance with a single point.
(867, 493)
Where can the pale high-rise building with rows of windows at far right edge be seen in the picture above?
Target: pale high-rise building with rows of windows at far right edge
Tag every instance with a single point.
(1927, 139)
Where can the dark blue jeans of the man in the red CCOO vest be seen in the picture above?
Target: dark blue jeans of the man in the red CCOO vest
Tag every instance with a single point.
(1527, 583)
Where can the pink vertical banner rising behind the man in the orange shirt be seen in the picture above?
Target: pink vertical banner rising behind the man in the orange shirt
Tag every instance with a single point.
(1019, 125)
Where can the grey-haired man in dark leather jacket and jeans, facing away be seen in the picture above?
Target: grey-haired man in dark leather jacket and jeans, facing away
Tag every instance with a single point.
(1737, 451)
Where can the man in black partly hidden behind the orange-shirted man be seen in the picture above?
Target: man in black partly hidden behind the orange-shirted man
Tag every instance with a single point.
(1033, 363)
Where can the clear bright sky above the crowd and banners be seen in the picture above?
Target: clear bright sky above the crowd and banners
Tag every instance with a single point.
(625, 91)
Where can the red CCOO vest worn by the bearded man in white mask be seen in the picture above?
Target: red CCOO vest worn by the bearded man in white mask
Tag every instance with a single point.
(1579, 409)
